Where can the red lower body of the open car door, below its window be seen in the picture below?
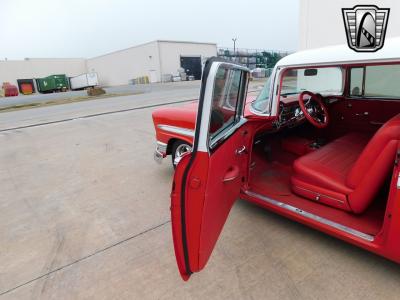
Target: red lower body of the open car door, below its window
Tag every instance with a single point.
(213, 185)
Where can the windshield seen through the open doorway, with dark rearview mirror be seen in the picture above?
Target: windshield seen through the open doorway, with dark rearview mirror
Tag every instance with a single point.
(326, 81)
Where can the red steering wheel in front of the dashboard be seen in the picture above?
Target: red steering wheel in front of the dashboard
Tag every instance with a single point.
(314, 109)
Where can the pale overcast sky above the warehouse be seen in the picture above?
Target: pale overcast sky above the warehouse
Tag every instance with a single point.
(88, 28)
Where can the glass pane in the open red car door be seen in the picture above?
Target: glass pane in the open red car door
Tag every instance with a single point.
(224, 108)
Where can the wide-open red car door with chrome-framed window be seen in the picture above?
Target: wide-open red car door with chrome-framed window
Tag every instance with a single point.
(207, 181)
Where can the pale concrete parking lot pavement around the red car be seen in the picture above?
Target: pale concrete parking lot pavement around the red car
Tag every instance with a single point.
(85, 214)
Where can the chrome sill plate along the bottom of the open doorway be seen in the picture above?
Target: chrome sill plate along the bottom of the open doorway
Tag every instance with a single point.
(308, 215)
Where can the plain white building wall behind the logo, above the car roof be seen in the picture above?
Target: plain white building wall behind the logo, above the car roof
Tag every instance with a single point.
(321, 22)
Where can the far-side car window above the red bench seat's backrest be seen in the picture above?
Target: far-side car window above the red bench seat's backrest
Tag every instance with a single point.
(375, 81)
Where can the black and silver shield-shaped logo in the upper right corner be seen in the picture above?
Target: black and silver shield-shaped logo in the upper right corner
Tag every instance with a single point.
(365, 27)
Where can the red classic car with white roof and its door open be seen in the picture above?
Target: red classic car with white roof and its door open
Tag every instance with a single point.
(319, 145)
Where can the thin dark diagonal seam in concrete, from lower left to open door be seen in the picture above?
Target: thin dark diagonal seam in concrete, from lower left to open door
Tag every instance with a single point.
(85, 257)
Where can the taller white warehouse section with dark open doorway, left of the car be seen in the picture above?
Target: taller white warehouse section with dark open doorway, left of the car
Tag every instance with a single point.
(152, 59)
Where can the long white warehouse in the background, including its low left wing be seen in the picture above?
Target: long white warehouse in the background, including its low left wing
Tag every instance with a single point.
(155, 61)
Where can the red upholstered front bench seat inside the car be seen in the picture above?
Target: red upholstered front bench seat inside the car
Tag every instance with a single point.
(348, 173)
